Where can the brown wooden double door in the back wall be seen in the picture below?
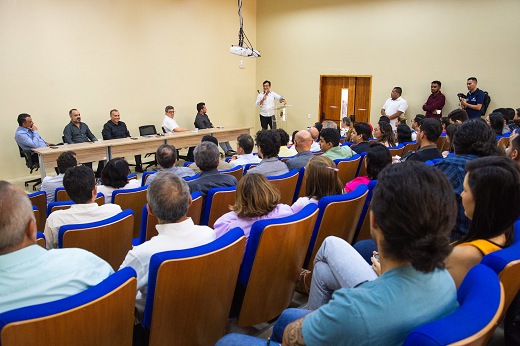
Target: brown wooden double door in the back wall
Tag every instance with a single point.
(358, 100)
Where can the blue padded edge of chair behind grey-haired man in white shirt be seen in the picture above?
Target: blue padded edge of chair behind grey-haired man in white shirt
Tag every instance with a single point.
(156, 260)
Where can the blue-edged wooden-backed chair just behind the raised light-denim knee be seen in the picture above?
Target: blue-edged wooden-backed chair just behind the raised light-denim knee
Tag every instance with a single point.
(338, 216)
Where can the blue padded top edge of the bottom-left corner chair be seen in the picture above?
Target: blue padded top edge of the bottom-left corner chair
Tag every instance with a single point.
(105, 287)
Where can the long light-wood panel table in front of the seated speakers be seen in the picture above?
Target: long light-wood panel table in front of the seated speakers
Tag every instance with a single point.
(106, 150)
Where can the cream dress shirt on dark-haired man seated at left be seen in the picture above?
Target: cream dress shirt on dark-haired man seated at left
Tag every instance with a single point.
(76, 214)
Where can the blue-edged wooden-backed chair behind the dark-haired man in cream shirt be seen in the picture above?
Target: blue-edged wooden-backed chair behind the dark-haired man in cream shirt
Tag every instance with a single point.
(110, 239)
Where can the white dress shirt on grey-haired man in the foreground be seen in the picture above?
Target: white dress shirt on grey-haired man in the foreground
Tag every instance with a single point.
(172, 236)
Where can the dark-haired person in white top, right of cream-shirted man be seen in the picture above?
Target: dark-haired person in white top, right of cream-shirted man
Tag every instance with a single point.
(115, 177)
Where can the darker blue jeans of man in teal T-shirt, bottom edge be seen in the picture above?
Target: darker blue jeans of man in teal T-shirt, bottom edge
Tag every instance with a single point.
(287, 317)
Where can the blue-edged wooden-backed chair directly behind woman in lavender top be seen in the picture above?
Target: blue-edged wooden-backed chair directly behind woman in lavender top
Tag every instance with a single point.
(271, 266)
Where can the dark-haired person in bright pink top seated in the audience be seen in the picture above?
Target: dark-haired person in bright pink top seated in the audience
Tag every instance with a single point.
(377, 158)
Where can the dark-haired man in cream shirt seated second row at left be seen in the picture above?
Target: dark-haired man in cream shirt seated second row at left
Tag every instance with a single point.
(80, 184)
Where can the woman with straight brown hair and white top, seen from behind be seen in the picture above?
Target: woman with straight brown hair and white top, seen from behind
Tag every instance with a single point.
(322, 180)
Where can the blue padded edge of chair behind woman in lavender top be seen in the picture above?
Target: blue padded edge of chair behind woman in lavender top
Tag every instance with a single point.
(256, 233)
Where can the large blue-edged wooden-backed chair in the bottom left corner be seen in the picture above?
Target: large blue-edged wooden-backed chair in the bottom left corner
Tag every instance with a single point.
(101, 314)
